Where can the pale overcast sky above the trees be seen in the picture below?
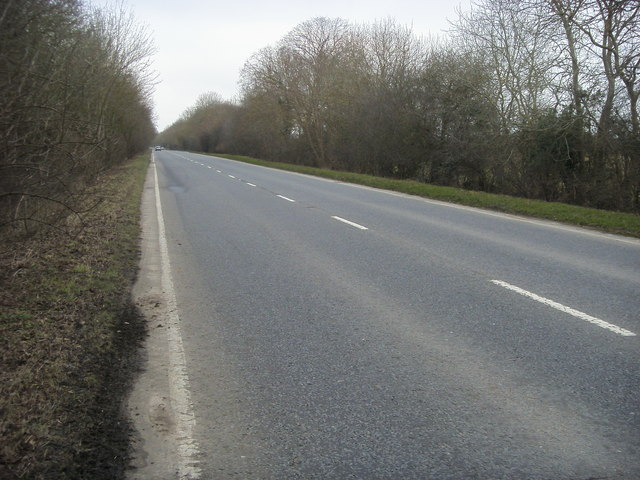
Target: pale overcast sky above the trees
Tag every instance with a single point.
(202, 45)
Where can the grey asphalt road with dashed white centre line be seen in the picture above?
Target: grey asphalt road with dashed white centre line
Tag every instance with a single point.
(329, 330)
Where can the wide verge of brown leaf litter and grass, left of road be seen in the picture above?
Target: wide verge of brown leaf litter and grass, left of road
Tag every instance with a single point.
(69, 338)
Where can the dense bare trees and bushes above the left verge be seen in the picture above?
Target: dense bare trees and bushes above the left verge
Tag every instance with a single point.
(75, 99)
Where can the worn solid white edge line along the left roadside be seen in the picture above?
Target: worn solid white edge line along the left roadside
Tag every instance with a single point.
(188, 448)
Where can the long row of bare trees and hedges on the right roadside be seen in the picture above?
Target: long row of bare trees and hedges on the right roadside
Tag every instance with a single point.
(534, 98)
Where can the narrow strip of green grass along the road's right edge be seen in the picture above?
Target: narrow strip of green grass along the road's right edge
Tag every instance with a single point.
(602, 220)
